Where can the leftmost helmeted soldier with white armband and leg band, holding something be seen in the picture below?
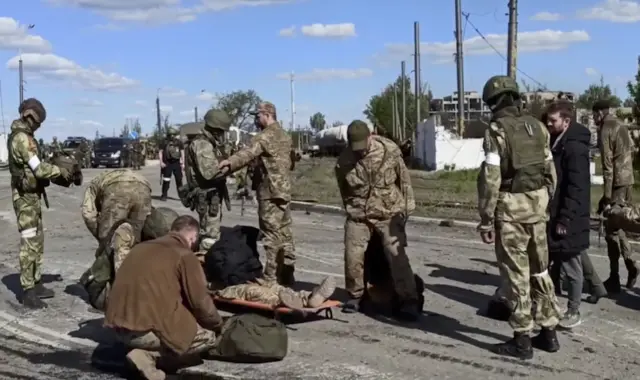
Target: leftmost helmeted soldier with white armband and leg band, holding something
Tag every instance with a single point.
(29, 177)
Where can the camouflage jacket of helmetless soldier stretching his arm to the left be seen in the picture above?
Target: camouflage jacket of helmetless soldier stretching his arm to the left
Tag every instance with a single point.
(271, 149)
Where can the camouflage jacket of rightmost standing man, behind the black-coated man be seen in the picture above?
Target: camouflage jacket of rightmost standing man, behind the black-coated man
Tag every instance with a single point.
(616, 151)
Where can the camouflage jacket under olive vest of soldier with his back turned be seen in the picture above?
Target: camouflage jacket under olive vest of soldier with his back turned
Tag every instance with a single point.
(493, 204)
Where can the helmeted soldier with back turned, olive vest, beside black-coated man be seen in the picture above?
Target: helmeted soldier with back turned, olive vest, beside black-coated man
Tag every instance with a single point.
(515, 184)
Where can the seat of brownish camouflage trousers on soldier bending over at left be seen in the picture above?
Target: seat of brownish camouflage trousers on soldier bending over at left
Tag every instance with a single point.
(124, 200)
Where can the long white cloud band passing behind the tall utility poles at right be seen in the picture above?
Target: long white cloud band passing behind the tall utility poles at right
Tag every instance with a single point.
(528, 42)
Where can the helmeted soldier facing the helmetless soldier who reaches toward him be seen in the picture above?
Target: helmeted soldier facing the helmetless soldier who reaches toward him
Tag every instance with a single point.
(207, 190)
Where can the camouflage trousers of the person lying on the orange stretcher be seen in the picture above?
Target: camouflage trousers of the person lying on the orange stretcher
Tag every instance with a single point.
(268, 294)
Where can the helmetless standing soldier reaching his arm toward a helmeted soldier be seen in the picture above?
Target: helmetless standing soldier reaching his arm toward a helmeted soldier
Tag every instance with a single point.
(270, 149)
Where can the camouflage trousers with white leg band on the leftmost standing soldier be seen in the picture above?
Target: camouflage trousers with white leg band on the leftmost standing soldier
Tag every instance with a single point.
(29, 219)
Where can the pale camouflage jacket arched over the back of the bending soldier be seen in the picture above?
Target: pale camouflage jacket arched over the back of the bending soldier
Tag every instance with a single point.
(100, 186)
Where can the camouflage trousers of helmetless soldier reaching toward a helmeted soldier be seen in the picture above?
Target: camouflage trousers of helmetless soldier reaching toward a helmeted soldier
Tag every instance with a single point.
(274, 218)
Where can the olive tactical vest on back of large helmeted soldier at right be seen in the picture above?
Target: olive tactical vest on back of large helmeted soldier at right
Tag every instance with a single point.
(524, 168)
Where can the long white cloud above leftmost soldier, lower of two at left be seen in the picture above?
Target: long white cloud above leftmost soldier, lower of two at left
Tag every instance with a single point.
(54, 67)
